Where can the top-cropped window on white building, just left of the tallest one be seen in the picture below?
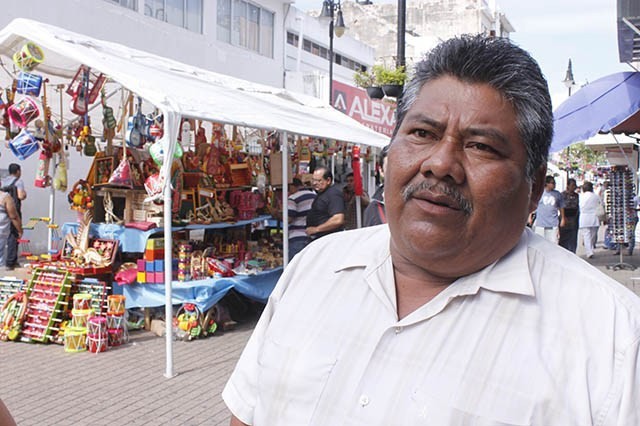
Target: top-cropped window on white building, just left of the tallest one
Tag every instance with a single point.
(182, 13)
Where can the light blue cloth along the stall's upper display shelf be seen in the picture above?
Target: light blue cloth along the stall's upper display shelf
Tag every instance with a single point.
(134, 240)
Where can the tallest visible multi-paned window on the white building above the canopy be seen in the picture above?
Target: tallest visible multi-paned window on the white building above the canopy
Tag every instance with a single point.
(246, 25)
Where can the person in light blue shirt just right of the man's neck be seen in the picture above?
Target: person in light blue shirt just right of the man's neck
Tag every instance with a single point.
(550, 212)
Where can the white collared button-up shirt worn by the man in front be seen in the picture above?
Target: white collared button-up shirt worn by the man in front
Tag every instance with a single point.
(538, 338)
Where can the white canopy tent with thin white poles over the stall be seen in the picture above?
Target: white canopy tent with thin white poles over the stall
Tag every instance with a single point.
(179, 90)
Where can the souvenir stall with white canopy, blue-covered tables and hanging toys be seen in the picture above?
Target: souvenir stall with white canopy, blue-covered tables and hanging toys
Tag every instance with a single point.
(159, 177)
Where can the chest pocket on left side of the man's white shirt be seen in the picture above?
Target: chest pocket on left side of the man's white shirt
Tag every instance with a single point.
(291, 382)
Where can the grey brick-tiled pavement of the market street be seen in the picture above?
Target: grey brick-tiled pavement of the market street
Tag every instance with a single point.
(43, 385)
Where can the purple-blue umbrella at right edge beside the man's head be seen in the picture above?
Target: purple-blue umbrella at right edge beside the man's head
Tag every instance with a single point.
(609, 104)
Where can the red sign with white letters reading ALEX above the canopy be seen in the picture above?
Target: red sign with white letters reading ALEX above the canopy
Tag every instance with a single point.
(375, 114)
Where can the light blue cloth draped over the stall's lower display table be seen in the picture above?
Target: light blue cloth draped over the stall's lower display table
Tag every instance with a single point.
(203, 293)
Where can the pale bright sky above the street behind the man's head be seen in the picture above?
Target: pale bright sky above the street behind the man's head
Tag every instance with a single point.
(554, 31)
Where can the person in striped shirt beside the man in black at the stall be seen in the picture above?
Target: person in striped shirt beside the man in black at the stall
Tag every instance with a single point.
(298, 205)
